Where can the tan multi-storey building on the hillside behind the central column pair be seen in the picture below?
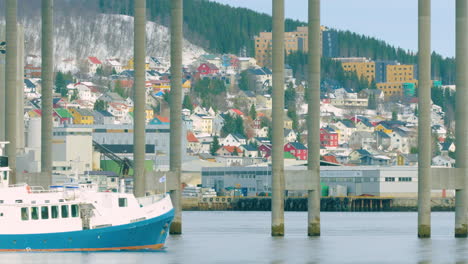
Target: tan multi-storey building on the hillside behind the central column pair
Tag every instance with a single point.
(293, 41)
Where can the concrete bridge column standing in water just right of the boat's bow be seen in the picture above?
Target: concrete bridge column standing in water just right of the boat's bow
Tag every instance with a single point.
(176, 112)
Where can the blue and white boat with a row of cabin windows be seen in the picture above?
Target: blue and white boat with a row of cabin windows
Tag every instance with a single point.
(79, 218)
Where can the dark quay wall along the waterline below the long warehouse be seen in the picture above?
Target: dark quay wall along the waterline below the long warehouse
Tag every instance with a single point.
(327, 204)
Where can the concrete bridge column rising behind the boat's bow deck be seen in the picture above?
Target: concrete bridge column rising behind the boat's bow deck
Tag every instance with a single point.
(139, 95)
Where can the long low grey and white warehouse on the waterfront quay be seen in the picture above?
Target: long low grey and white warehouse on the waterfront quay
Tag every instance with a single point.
(376, 181)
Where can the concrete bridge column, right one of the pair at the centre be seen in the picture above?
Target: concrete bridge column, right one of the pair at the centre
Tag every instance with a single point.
(313, 118)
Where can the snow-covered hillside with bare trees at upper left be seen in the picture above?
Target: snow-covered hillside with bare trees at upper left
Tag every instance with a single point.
(103, 36)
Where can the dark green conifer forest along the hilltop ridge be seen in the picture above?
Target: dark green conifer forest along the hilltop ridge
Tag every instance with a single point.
(224, 29)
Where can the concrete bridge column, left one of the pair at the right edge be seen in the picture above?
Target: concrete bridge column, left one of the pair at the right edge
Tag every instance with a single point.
(424, 139)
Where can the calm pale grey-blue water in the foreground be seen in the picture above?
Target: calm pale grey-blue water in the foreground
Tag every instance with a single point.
(244, 237)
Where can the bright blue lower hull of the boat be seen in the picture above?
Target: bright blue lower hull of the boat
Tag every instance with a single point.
(148, 234)
